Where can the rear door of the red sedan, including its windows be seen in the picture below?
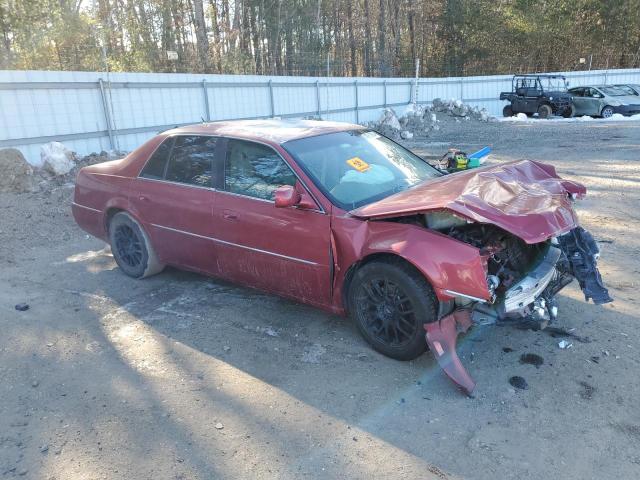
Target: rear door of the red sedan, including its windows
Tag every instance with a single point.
(173, 197)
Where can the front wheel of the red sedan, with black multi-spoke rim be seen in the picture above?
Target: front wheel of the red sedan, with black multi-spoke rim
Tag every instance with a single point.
(390, 302)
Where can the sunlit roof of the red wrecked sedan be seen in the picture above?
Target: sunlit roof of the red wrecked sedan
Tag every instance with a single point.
(272, 130)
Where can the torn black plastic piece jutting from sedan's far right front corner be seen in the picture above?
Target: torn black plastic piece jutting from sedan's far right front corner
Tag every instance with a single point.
(582, 253)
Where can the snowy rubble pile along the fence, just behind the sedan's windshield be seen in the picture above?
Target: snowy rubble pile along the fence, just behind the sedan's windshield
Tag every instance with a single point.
(420, 120)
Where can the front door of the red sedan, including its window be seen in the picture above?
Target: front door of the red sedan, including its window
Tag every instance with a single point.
(281, 250)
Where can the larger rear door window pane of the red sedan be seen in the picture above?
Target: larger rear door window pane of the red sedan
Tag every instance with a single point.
(192, 160)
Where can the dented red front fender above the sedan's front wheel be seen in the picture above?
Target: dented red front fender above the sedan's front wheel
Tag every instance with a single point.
(451, 267)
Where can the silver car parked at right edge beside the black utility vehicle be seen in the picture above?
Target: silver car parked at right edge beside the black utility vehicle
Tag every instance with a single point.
(604, 101)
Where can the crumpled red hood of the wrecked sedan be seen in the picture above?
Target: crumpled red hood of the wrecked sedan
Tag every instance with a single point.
(524, 198)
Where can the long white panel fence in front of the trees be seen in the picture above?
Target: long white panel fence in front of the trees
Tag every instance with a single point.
(93, 111)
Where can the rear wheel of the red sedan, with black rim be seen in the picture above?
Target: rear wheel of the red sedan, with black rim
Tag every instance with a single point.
(131, 247)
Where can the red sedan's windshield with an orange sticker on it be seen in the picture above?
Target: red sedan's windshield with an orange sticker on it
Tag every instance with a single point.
(354, 168)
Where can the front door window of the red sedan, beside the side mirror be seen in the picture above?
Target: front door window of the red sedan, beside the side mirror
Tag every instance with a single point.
(255, 170)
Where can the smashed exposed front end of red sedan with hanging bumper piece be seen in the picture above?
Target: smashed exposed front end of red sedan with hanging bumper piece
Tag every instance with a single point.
(523, 281)
